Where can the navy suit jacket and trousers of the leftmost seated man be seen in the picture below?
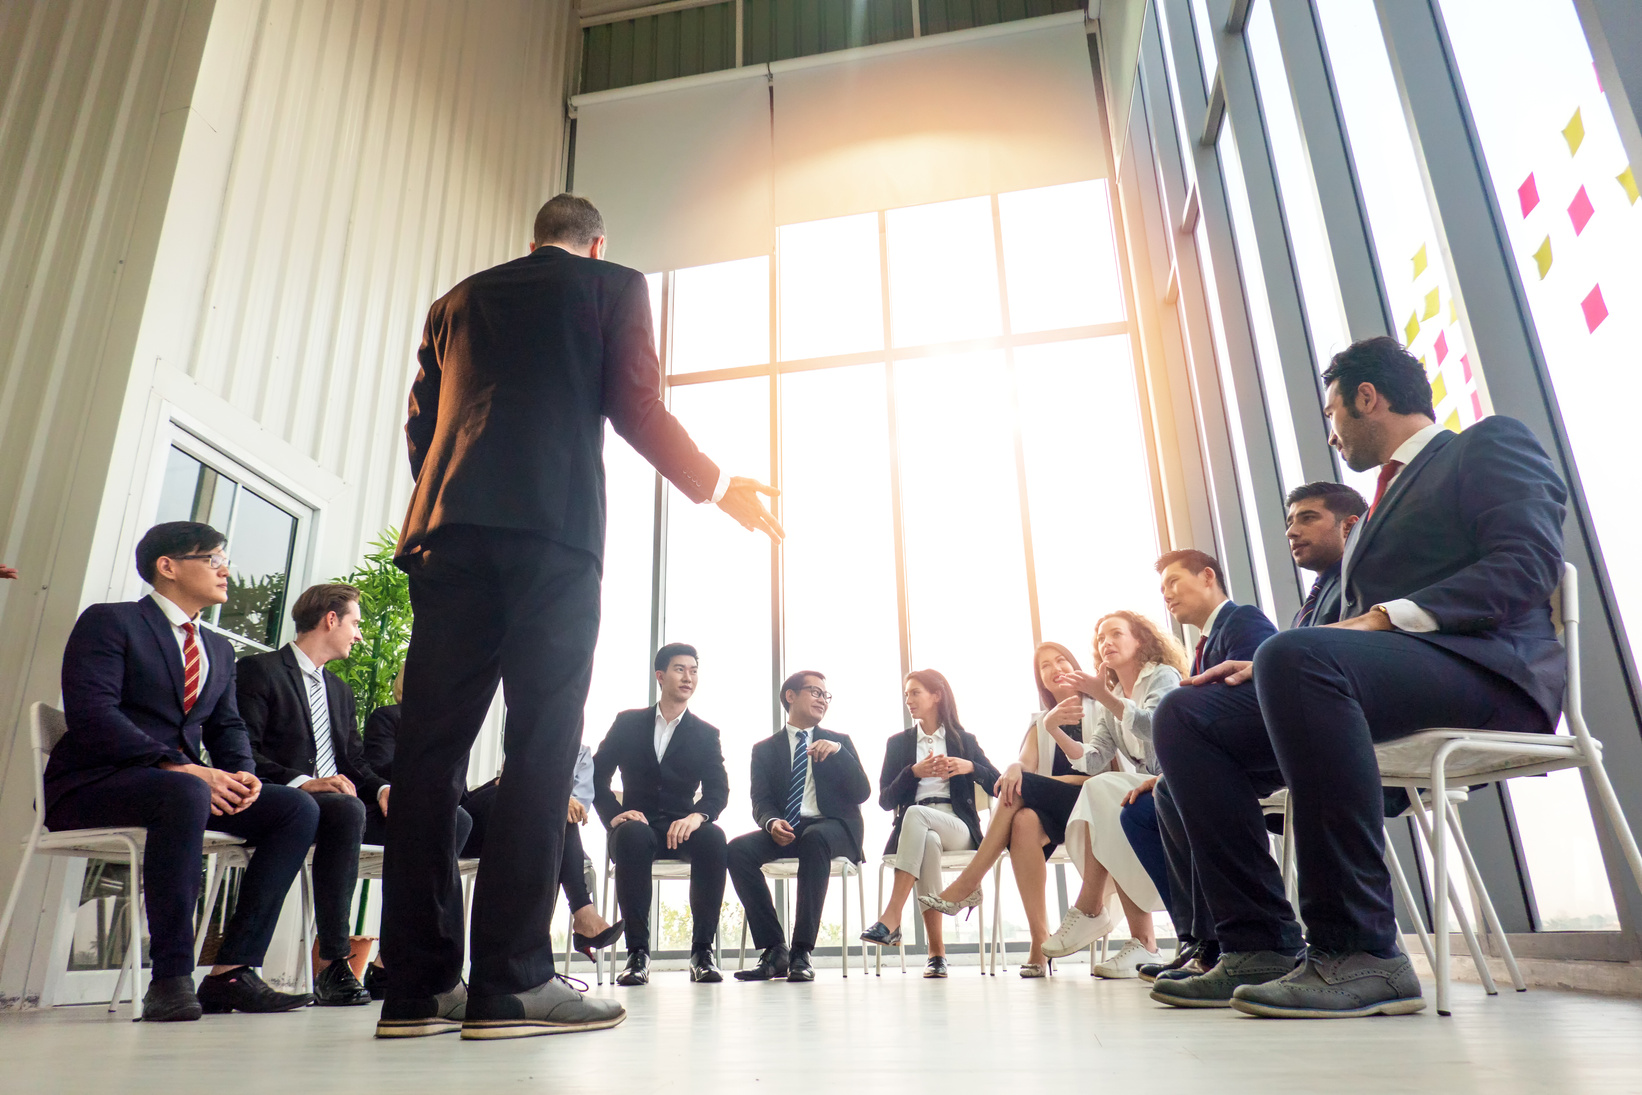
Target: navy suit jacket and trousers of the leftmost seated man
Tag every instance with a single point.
(122, 690)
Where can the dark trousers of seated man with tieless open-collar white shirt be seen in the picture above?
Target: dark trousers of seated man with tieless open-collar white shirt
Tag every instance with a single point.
(635, 846)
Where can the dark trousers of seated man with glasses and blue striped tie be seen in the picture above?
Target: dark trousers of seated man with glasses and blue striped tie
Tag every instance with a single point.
(820, 841)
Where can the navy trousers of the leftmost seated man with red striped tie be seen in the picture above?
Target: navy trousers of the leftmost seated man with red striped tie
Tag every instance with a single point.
(175, 807)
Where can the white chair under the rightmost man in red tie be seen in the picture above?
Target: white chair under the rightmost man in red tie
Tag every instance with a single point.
(1434, 758)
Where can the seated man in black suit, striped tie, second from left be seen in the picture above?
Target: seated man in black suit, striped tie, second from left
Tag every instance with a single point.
(306, 735)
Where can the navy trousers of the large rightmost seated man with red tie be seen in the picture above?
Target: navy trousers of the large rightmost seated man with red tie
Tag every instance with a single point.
(1328, 695)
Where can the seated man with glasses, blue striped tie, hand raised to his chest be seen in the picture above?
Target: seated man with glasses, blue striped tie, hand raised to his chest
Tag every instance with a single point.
(807, 794)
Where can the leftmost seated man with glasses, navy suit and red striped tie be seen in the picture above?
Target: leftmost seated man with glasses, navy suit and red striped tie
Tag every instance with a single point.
(145, 690)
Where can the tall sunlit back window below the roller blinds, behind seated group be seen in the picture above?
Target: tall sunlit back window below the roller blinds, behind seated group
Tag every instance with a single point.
(947, 398)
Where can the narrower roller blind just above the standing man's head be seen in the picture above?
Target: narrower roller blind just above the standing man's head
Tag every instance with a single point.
(682, 176)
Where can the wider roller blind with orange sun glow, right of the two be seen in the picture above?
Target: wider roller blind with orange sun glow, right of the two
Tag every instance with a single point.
(943, 121)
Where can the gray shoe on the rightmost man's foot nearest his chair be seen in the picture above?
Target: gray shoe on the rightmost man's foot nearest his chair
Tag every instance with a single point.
(1336, 987)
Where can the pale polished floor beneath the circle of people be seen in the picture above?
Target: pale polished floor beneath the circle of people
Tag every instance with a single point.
(897, 1033)
